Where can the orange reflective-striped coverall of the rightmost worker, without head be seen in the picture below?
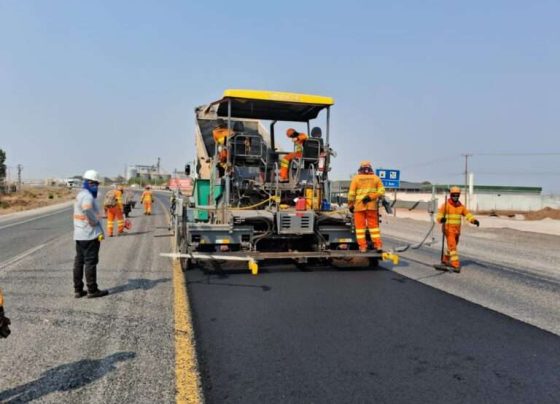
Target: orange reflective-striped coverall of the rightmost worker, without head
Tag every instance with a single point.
(453, 212)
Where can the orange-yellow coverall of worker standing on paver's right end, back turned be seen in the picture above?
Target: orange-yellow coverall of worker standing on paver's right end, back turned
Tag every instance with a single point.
(366, 216)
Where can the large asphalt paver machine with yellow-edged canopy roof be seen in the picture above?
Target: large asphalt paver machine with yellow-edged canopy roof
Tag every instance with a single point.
(240, 209)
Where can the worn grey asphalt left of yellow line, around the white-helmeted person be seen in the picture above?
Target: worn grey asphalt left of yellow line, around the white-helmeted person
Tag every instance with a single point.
(115, 349)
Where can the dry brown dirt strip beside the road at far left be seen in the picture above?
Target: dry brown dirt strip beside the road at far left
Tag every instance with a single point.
(33, 197)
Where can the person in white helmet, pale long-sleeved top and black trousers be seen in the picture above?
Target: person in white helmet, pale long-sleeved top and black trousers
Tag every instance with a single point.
(88, 234)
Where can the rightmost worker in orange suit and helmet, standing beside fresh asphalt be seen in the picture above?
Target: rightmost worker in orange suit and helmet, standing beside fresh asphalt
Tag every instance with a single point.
(449, 215)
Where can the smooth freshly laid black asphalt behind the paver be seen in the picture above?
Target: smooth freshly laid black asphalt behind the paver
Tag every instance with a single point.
(361, 336)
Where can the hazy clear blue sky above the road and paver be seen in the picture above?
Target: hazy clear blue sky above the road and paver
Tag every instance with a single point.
(417, 83)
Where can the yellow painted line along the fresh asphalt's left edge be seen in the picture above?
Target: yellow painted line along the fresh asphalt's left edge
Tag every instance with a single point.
(187, 377)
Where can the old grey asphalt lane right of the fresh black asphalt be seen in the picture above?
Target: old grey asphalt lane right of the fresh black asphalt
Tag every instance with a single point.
(519, 292)
